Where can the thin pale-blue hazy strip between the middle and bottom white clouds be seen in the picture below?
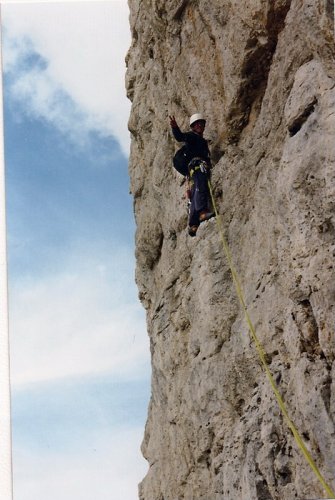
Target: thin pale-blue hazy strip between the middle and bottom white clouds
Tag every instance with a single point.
(72, 412)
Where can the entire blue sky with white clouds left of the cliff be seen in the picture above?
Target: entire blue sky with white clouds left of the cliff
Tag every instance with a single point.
(79, 349)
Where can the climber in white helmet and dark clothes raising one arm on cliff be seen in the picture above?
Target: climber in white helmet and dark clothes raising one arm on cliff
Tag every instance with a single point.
(199, 166)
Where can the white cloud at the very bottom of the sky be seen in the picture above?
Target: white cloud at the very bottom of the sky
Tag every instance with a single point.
(109, 468)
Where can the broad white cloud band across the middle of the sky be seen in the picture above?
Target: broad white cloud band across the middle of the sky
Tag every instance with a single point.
(83, 321)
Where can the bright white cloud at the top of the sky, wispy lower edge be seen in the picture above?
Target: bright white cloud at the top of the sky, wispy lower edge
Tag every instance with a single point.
(84, 46)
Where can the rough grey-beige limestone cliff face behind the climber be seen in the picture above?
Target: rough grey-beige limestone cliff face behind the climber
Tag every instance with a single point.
(263, 73)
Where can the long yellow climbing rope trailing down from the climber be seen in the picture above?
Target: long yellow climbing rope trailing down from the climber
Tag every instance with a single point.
(261, 353)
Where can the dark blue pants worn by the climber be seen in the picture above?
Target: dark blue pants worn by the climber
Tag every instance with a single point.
(200, 197)
